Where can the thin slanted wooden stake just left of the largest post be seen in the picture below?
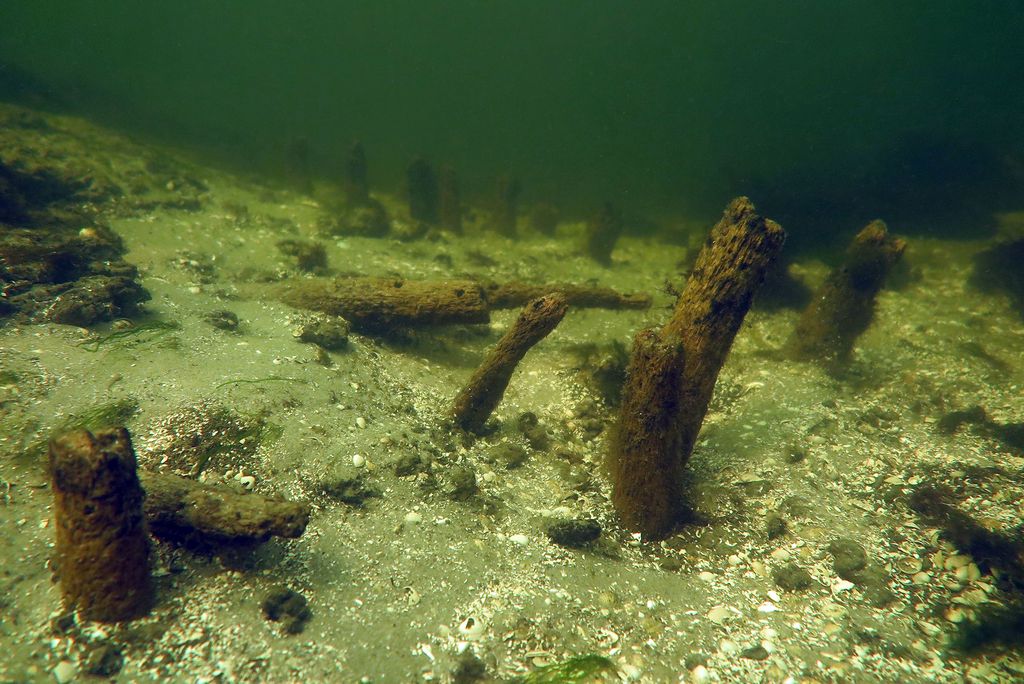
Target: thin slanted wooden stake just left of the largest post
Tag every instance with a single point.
(487, 387)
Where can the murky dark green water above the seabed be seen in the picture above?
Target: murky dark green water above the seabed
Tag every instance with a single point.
(827, 112)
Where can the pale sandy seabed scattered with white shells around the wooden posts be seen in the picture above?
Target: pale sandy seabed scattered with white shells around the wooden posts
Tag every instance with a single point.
(428, 557)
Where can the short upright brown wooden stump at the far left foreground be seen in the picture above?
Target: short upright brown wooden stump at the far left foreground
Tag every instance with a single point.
(103, 549)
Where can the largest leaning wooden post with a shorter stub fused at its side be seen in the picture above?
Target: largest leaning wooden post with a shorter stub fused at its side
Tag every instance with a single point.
(672, 372)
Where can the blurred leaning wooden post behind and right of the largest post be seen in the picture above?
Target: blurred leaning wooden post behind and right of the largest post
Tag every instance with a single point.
(844, 307)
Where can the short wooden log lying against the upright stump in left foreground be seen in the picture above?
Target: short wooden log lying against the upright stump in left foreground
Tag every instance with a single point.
(184, 510)
